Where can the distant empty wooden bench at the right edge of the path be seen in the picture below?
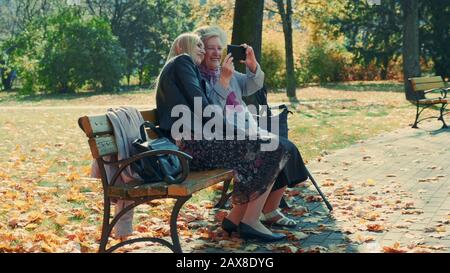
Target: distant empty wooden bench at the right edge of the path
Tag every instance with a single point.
(422, 86)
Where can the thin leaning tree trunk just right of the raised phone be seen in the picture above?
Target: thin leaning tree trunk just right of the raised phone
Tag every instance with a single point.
(286, 18)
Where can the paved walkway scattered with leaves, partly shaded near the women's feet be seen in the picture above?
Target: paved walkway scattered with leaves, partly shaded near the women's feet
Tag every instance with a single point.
(390, 194)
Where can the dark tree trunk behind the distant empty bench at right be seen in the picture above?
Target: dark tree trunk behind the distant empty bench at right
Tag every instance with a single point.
(411, 65)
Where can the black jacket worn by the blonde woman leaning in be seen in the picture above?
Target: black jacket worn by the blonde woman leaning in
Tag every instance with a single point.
(179, 83)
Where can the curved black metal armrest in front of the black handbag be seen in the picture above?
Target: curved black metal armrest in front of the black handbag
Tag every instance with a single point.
(183, 157)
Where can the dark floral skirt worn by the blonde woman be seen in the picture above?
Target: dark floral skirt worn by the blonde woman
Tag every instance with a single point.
(254, 170)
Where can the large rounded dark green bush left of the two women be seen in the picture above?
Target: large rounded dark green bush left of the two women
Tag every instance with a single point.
(79, 52)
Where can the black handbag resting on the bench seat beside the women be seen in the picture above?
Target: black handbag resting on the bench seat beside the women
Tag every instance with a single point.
(158, 168)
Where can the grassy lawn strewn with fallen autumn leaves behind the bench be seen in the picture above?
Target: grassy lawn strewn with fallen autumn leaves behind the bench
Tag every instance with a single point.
(50, 204)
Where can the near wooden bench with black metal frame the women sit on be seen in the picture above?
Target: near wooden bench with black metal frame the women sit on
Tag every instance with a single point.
(102, 143)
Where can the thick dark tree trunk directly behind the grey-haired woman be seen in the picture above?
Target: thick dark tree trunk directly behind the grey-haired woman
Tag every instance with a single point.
(247, 27)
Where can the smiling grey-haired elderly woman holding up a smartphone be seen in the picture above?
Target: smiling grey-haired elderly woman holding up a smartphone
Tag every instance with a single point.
(226, 87)
